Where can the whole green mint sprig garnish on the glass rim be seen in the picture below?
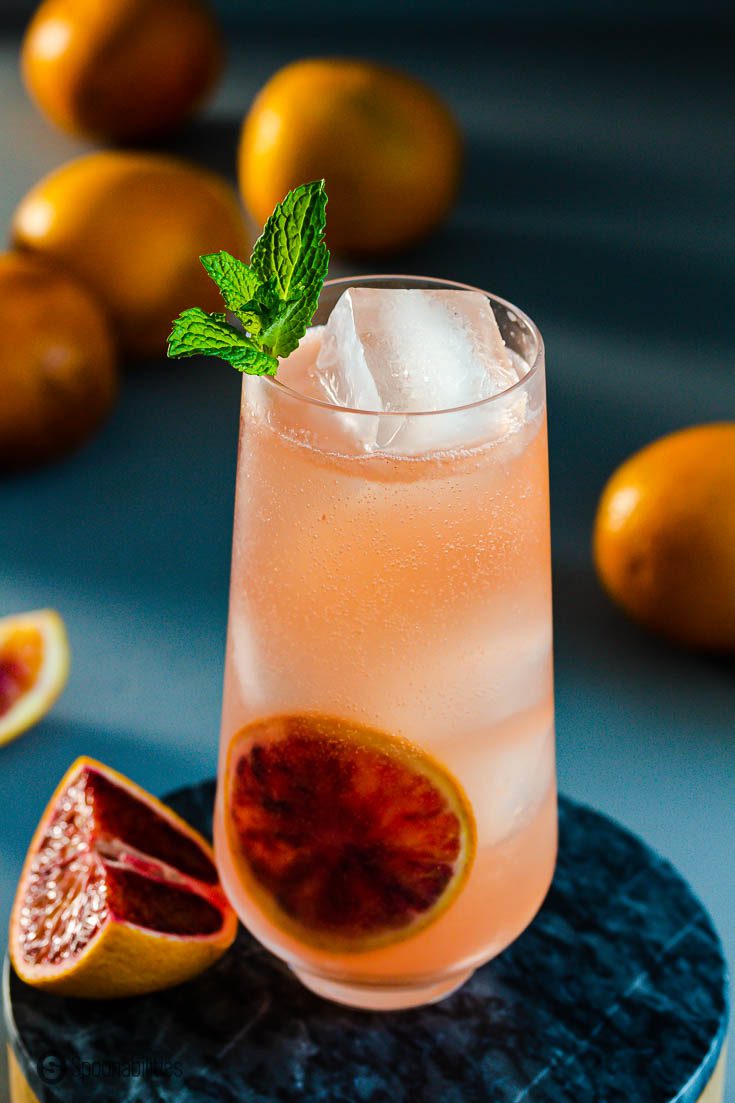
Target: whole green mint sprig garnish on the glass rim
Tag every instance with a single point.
(274, 298)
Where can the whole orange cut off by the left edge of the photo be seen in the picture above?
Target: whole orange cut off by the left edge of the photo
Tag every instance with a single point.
(58, 372)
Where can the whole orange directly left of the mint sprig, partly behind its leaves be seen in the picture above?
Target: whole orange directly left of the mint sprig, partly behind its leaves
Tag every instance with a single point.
(133, 227)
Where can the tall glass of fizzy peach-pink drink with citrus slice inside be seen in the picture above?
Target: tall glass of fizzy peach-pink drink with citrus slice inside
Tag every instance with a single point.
(387, 804)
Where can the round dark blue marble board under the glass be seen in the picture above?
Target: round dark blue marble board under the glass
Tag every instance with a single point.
(616, 994)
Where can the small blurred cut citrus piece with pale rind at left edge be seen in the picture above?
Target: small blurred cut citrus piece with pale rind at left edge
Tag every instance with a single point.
(34, 669)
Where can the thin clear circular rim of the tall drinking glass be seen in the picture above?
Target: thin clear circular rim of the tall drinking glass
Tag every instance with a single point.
(454, 285)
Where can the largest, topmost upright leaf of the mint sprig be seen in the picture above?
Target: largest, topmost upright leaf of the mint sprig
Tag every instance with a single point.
(292, 251)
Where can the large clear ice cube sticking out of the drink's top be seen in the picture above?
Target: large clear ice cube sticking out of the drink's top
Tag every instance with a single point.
(402, 352)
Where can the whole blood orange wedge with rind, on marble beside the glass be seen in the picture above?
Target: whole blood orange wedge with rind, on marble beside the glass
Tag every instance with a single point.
(119, 896)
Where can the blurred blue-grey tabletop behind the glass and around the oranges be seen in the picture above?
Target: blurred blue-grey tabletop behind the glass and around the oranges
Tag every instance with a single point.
(599, 197)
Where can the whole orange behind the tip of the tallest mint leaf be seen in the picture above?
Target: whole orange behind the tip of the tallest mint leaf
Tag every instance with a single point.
(387, 146)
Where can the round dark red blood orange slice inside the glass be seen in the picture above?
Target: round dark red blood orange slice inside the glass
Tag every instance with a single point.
(347, 837)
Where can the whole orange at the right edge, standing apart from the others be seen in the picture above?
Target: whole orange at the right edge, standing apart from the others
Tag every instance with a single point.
(665, 537)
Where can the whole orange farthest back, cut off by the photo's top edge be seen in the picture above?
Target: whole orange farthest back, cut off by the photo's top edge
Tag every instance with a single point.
(121, 70)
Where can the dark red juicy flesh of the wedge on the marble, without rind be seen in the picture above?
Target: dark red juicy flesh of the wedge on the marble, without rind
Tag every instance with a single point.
(105, 854)
